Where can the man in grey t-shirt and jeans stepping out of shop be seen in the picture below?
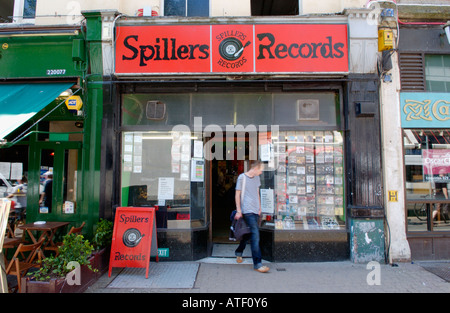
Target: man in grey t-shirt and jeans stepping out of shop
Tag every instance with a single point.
(248, 206)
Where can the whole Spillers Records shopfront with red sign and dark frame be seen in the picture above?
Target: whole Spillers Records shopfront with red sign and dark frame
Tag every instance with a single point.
(191, 105)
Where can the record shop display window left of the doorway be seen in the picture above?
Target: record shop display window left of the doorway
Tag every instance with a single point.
(156, 171)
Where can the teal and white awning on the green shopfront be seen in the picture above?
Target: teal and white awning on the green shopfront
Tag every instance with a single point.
(20, 102)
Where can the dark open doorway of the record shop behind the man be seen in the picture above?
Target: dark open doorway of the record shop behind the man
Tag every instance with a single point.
(224, 174)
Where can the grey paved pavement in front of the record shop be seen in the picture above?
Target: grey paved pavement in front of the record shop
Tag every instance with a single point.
(225, 276)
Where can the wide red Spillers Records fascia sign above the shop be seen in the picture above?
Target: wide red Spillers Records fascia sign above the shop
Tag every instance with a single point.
(243, 48)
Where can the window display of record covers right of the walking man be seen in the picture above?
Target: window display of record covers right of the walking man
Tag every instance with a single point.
(309, 185)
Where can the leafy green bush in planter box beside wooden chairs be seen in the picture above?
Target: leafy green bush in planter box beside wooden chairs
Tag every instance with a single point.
(52, 276)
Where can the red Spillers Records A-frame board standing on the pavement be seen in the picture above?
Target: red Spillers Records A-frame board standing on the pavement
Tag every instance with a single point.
(134, 238)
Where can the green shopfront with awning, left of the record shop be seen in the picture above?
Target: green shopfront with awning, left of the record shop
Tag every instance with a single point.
(39, 69)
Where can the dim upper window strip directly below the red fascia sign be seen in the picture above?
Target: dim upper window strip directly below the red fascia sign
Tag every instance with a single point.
(288, 109)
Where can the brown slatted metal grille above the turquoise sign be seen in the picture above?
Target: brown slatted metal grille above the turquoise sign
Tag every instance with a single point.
(412, 71)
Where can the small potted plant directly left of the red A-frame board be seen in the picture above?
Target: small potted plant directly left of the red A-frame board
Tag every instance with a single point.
(102, 242)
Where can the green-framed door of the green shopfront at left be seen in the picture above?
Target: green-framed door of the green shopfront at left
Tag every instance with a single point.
(56, 162)
